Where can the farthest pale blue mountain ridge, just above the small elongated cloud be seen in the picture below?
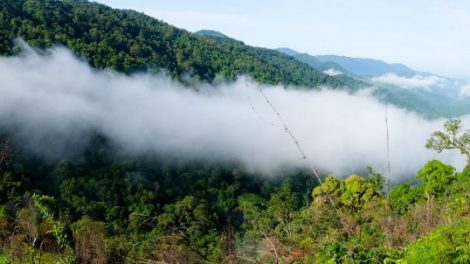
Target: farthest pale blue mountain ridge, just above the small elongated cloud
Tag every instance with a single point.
(367, 67)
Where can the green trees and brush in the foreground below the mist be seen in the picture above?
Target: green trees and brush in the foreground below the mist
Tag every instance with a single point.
(104, 207)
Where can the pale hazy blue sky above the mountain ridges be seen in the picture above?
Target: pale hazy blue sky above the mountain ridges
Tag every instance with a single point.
(430, 35)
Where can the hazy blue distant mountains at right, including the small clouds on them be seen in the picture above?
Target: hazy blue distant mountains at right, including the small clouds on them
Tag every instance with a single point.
(425, 93)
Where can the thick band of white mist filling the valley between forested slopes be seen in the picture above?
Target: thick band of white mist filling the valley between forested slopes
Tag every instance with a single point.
(59, 95)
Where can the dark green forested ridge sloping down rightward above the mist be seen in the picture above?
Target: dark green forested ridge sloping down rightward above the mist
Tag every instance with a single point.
(128, 41)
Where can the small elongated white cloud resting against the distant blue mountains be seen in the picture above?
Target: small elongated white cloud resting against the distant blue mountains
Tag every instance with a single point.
(417, 81)
